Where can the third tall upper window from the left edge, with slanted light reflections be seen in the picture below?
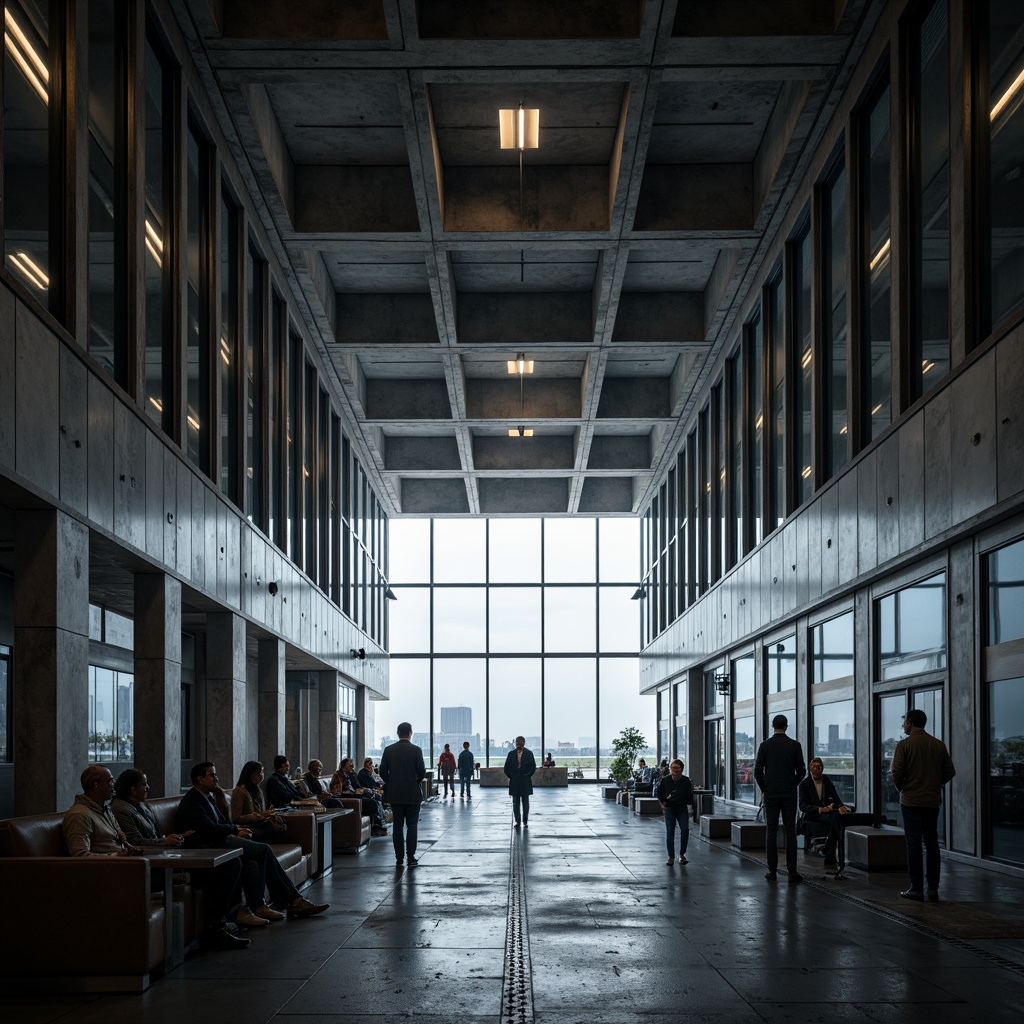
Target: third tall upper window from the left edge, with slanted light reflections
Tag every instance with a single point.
(159, 253)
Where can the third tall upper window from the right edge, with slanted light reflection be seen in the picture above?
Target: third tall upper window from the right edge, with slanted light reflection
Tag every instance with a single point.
(876, 274)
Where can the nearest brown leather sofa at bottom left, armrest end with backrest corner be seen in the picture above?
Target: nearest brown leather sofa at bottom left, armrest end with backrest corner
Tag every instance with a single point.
(86, 924)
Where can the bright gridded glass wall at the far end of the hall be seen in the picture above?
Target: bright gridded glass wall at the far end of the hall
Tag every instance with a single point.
(517, 627)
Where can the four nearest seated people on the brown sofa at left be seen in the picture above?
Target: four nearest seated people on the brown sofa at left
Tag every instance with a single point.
(112, 819)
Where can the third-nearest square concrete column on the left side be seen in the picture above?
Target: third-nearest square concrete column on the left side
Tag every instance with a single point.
(226, 695)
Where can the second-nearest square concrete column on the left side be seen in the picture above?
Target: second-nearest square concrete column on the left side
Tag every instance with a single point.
(158, 681)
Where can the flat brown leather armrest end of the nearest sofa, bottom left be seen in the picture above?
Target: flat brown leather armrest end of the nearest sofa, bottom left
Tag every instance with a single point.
(108, 925)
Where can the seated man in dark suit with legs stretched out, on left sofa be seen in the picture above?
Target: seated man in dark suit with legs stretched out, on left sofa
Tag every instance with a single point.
(261, 870)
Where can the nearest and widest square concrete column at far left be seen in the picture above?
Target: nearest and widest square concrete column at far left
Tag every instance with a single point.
(52, 659)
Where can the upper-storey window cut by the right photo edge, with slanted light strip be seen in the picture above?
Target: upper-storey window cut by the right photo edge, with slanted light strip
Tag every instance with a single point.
(1004, 117)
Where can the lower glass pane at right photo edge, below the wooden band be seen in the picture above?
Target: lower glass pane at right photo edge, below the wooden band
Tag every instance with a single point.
(1005, 783)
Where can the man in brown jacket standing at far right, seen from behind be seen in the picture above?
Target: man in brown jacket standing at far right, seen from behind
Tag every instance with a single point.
(921, 767)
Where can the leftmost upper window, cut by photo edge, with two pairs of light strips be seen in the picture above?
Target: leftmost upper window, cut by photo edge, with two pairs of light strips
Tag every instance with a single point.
(26, 147)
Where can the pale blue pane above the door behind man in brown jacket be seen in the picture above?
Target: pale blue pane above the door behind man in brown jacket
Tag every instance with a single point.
(913, 629)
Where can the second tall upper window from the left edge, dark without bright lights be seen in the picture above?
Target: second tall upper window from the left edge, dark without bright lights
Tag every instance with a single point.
(107, 187)
